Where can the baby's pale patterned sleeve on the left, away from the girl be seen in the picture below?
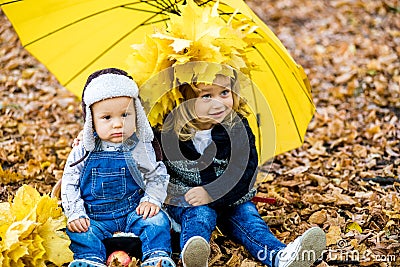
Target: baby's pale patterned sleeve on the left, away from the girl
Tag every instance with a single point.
(71, 200)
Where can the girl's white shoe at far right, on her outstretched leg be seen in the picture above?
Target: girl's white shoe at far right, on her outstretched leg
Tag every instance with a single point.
(303, 251)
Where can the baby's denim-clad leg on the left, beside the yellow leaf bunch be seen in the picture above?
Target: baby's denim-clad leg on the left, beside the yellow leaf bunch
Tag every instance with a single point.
(89, 245)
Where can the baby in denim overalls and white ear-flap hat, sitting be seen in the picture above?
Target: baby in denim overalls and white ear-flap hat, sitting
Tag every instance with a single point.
(112, 181)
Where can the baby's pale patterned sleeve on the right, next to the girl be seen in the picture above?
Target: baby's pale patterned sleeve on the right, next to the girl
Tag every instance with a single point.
(155, 176)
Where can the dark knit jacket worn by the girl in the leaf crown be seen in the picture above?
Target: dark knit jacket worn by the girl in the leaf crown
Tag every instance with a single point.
(227, 168)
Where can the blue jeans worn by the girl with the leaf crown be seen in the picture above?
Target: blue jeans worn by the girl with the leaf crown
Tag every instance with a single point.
(242, 223)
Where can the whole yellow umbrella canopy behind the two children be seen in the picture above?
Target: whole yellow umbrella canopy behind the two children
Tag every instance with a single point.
(77, 37)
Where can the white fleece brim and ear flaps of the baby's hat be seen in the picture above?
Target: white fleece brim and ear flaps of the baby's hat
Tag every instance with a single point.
(110, 85)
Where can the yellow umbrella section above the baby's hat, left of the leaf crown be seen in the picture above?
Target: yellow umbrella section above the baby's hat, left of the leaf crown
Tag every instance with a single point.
(70, 52)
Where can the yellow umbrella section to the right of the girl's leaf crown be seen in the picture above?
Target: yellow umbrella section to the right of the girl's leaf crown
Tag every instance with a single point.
(284, 90)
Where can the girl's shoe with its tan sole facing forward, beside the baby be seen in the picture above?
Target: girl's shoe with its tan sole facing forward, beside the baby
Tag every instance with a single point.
(195, 253)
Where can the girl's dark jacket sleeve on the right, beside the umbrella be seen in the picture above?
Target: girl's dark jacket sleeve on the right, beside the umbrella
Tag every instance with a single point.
(239, 177)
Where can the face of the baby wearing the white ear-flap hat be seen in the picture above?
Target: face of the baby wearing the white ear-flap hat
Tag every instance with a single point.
(114, 119)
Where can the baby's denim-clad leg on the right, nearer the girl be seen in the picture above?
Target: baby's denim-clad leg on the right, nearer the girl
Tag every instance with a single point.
(154, 232)
